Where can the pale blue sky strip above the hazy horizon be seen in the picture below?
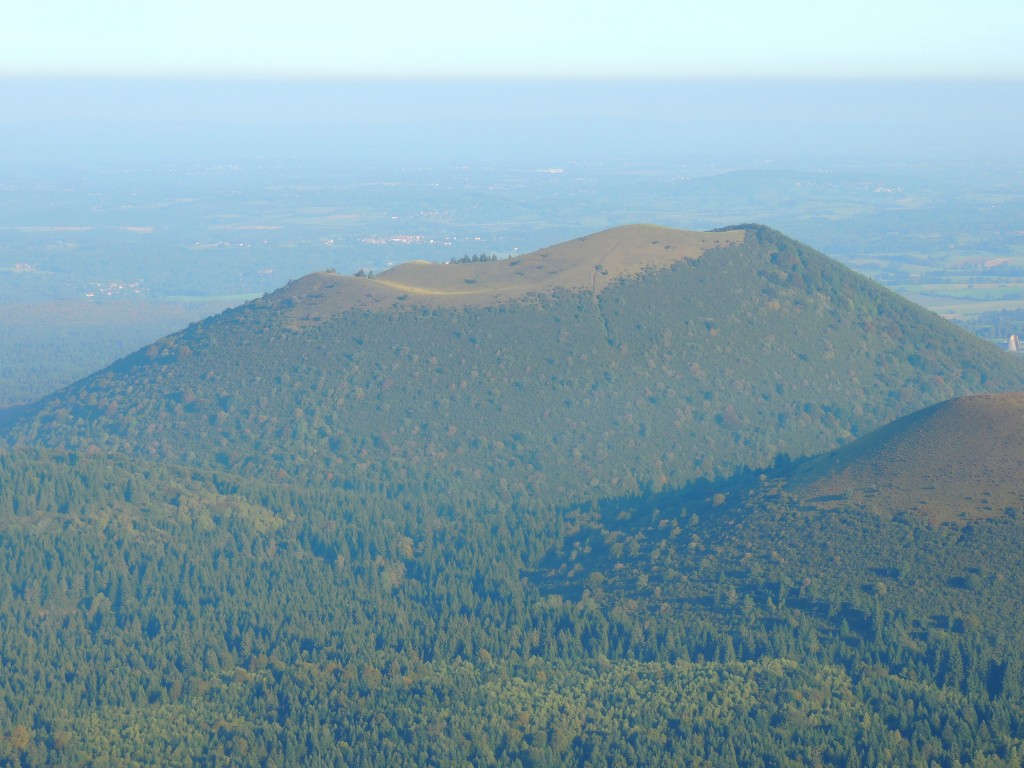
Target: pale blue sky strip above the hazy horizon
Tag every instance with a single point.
(523, 39)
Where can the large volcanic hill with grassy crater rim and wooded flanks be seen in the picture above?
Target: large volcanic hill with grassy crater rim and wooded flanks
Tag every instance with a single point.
(630, 359)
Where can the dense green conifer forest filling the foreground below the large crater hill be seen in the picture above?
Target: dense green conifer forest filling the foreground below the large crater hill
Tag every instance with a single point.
(162, 615)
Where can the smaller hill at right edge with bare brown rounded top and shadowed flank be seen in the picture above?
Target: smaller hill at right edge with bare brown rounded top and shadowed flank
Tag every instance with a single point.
(936, 494)
